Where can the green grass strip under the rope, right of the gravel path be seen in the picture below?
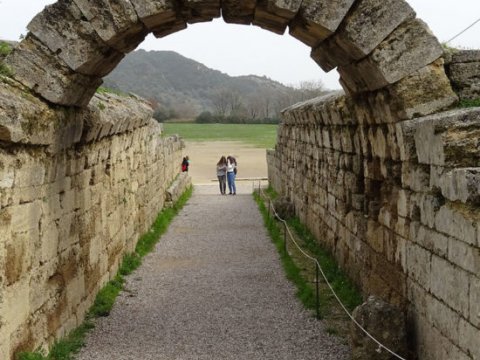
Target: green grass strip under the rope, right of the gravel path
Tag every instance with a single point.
(301, 272)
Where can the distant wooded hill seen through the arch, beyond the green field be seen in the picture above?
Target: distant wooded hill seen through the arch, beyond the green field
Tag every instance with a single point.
(176, 84)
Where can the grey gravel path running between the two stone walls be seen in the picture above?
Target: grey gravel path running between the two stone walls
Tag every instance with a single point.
(213, 289)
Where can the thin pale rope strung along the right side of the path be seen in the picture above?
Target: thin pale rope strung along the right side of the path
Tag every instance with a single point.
(317, 264)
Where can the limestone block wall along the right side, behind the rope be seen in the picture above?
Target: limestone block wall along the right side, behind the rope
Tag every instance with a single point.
(397, 203)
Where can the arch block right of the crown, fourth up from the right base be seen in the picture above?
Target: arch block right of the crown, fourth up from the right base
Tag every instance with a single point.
(317, 20)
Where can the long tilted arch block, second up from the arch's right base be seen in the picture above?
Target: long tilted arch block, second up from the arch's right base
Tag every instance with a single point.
(389, 62)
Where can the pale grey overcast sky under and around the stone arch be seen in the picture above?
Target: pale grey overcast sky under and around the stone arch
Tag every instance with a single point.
(244, 50)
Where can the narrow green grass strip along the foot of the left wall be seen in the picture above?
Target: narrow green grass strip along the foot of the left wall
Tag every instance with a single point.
(66, 348)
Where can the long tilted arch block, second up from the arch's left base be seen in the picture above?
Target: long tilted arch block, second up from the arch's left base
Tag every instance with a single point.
(62, 28)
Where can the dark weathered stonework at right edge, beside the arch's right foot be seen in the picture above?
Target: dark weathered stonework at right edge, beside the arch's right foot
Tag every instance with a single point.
(463, 69)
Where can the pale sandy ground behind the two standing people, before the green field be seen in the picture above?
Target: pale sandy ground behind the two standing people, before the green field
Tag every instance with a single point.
(252, 161)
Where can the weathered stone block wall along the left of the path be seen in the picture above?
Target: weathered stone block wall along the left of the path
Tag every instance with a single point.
(77, 189)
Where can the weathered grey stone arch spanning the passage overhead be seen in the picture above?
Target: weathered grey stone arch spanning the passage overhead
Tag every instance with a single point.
(374, 44)
